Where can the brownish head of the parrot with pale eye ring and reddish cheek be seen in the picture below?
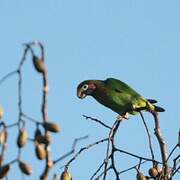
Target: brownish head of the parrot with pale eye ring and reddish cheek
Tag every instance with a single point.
(85, 88)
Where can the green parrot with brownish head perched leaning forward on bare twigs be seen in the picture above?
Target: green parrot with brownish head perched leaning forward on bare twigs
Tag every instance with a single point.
(116, 95)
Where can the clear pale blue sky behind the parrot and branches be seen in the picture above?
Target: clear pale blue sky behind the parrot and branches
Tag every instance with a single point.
(136, 41)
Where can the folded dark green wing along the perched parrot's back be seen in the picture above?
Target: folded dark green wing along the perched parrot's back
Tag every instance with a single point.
(121, 87)
